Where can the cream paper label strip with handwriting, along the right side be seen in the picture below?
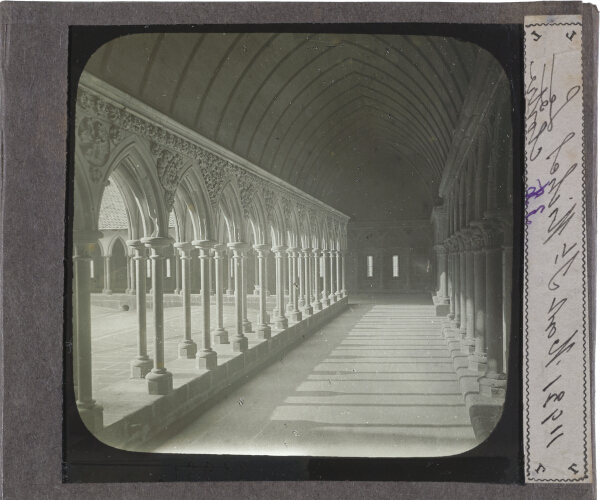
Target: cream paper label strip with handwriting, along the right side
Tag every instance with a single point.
(556, 392)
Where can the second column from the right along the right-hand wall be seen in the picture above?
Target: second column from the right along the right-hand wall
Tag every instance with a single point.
(478, 360)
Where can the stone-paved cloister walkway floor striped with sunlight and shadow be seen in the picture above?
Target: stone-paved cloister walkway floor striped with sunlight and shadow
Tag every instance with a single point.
(378, 380)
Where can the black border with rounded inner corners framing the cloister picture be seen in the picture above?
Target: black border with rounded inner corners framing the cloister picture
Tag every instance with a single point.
(498, 460)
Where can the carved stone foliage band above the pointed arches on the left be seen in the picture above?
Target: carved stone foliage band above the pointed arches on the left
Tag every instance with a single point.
(108, 124)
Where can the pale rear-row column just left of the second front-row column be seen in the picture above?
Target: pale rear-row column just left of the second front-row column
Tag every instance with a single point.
(142, 364)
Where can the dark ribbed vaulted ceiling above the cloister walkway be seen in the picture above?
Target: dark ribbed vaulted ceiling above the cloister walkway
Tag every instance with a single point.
(362, 122)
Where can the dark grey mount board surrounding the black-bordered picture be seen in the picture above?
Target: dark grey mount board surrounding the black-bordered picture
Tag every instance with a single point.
(34, 47)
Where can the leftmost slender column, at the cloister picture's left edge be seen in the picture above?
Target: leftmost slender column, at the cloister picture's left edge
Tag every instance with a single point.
(89, 411)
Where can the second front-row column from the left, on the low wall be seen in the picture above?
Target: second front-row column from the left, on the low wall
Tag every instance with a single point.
(160, 381)
